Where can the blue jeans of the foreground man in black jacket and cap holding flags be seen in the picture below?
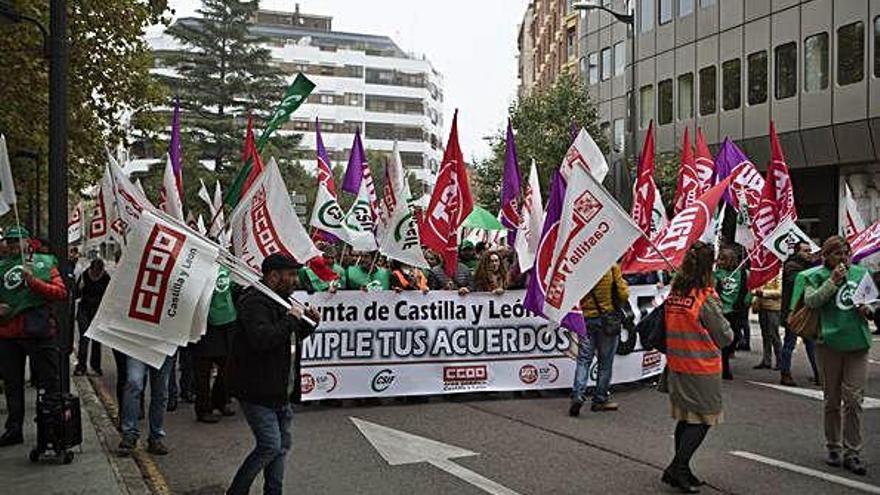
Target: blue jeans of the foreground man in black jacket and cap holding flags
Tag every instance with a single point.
(271, 429)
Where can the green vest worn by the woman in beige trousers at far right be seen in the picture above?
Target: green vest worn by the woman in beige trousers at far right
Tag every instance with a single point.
(842, 327)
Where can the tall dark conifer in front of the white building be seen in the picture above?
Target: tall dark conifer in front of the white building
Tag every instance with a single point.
(223, 72)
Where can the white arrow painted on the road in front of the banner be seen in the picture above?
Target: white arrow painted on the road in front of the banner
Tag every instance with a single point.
(398, 448)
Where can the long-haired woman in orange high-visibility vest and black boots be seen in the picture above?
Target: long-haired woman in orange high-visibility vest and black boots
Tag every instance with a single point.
(696, 331)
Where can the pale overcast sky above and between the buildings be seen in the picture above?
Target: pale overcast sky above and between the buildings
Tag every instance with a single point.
(471, 42)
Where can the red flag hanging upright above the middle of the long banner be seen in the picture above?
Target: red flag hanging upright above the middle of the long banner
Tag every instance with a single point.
(450, 203)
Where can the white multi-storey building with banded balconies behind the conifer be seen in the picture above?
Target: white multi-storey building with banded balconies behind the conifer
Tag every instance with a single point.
(363, 81)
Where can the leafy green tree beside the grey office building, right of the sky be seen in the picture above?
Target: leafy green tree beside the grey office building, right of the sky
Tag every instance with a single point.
(543, 122)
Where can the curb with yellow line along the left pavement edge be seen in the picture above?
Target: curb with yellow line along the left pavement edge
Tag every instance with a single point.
(138, 474)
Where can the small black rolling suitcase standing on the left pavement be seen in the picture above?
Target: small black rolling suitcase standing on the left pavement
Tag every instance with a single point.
(59, 426)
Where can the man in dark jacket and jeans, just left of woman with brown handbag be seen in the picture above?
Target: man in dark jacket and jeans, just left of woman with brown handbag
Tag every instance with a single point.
(799, 261)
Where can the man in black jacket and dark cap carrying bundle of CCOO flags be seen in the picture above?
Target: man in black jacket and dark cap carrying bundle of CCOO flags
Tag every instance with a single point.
(260, 372)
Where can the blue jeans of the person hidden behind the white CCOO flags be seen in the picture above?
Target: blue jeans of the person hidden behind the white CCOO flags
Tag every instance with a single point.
(134, 387)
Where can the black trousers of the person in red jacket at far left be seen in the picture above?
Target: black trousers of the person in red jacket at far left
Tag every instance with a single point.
(45, 359)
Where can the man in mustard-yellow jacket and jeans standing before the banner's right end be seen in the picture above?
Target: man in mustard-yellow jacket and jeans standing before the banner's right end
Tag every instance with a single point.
(603, 335)
